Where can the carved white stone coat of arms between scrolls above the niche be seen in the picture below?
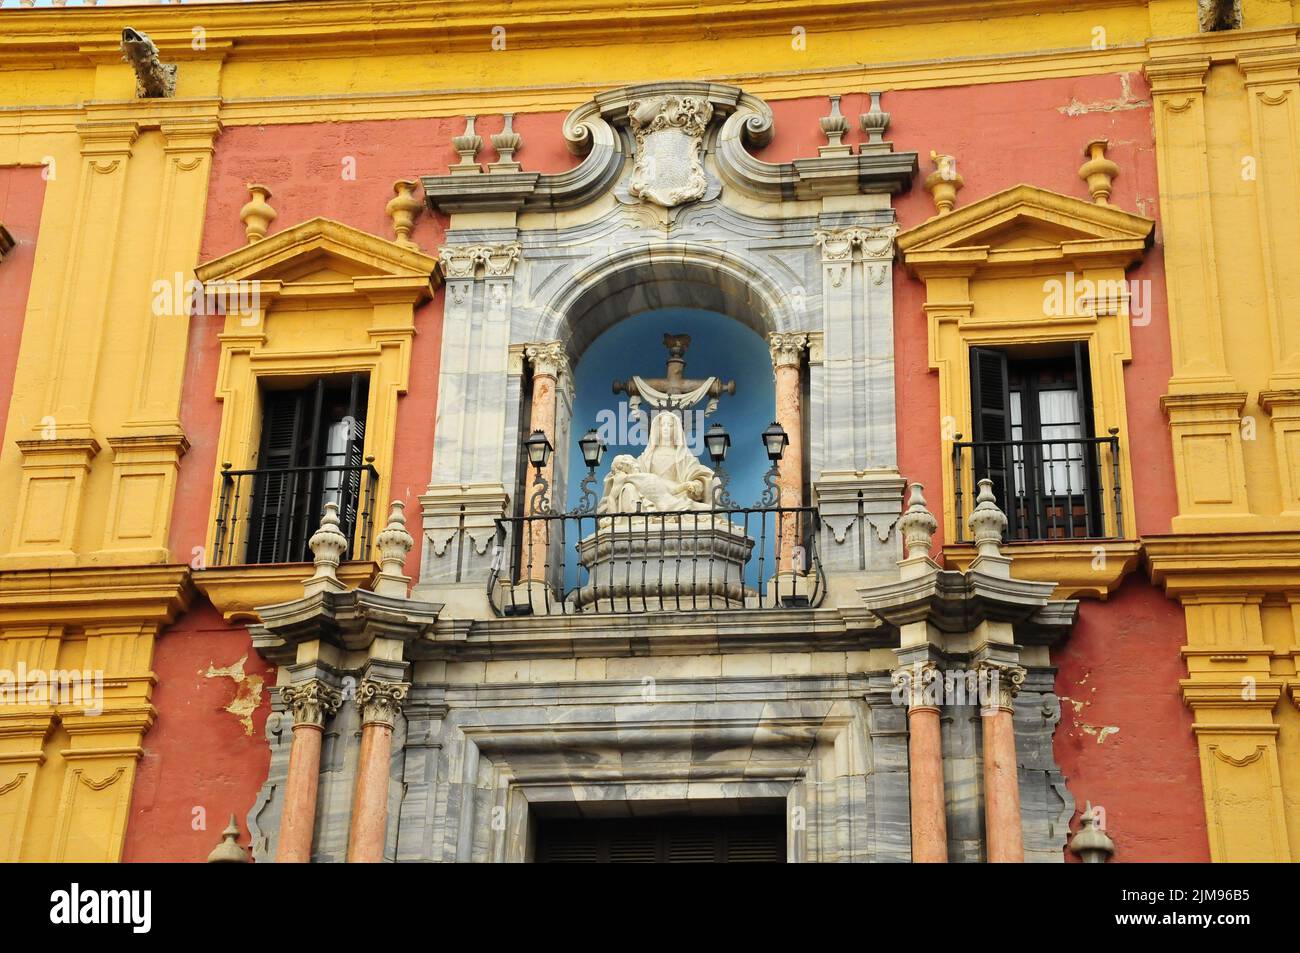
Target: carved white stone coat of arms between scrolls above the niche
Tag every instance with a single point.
(670, 133)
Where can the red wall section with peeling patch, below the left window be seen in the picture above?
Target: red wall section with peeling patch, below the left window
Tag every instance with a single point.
(200, 756)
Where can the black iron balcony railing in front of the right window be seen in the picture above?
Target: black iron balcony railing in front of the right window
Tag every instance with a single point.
(1050, 490)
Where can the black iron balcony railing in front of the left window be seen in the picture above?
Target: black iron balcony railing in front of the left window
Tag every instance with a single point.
(270, 516)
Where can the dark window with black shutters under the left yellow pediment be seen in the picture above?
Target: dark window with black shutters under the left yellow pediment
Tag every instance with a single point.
(310, 454)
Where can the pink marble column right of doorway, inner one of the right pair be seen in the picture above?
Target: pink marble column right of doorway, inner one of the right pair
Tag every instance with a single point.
(925, 764)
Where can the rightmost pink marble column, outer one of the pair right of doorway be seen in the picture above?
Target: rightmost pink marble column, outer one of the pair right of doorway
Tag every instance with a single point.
(1004, 835)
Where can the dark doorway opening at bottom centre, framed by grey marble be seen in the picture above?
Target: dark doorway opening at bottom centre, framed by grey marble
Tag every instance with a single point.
(748, 839)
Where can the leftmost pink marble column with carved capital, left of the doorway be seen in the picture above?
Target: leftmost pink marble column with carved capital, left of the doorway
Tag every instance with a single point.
(310, 704)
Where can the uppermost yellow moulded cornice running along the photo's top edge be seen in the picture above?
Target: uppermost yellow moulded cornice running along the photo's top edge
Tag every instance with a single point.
(341, 28)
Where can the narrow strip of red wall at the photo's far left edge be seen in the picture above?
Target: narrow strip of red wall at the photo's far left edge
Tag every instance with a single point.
(23, 193)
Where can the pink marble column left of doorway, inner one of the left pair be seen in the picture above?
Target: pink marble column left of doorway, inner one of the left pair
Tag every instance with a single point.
(380, 703)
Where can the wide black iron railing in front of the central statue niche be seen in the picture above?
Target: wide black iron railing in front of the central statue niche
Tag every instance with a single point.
(657, 562)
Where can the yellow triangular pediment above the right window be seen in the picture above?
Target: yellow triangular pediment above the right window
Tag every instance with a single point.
(1025, 223)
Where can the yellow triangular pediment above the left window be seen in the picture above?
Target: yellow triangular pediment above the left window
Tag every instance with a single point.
(319, 252)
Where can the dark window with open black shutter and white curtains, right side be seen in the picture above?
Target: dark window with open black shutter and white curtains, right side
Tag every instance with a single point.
(1033, 437)
